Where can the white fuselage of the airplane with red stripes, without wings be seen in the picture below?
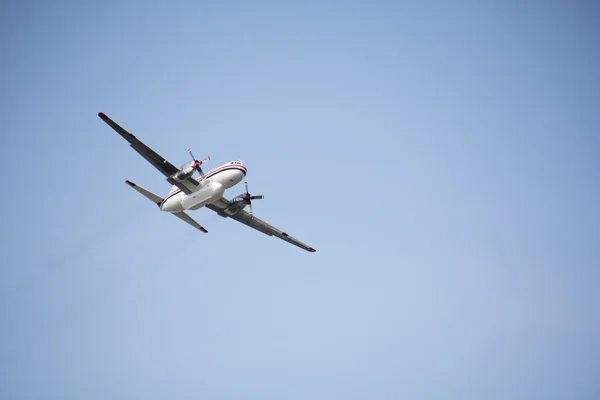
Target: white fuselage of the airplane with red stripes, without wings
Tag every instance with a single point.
(211, 188)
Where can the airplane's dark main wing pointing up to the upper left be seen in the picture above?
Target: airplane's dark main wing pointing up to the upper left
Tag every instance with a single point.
(167, 169)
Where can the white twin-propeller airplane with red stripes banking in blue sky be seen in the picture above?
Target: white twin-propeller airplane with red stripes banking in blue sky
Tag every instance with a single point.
(189, 193)
